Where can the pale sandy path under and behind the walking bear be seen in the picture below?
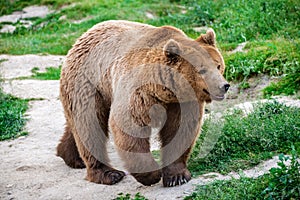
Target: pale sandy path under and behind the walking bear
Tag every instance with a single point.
(29, 167)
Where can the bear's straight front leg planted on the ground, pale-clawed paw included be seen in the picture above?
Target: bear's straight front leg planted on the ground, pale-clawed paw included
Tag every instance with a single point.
(177, 138)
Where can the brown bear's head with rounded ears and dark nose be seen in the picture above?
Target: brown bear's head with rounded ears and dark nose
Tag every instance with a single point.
(201, 63)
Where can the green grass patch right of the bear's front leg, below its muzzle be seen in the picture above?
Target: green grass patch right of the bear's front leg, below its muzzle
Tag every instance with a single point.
(240, 142)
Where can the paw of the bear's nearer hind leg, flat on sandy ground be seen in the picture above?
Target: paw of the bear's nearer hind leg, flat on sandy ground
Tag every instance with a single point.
(107, 177)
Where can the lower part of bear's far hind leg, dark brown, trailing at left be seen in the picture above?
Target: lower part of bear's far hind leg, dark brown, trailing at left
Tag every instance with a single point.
(68, 151)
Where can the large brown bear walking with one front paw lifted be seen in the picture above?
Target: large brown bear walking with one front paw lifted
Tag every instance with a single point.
(128, 78)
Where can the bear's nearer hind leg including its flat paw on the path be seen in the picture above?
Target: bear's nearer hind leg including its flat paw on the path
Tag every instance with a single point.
(93, 151)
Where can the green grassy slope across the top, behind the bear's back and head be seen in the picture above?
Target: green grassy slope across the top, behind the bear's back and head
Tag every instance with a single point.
(271, 28)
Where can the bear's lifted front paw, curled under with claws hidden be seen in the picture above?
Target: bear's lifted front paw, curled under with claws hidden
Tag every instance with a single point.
(148, 178)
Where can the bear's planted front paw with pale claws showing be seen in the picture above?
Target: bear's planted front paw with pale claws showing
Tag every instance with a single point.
(171, 179)
